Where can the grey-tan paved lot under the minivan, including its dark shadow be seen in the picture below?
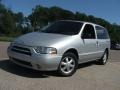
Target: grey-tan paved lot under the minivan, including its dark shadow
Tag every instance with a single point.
(89, 76)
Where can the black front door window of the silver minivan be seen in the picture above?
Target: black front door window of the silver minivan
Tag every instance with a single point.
(88, 32)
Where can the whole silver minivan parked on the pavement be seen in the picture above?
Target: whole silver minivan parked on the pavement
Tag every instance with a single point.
(61, 46)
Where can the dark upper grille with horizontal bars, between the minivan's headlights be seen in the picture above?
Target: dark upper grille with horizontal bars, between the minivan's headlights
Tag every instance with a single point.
(20, 49)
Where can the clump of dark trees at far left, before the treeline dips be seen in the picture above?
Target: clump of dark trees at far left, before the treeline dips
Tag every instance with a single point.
(12, 24)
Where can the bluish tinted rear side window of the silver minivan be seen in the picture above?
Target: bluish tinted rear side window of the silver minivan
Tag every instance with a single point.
(101, 33)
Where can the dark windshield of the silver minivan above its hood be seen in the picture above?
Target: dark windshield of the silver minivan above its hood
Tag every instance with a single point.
(63, 27)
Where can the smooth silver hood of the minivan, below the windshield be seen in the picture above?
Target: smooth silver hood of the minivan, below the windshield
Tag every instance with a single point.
(40, 39)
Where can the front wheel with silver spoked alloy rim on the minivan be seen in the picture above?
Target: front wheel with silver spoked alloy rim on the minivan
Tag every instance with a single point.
(68, 65)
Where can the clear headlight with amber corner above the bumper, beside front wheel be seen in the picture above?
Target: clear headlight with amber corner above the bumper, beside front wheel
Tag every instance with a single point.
(45, 50)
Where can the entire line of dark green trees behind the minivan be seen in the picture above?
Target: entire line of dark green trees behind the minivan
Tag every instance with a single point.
(14, 24)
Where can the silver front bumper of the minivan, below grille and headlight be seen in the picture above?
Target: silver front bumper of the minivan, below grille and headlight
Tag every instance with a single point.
(42, 62)
